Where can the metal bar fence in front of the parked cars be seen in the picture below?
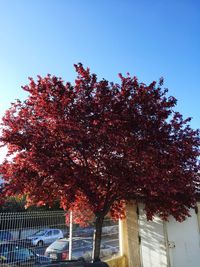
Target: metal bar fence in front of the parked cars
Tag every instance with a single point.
(45, 235)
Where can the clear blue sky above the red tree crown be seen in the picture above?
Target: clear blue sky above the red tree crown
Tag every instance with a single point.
(148, 38)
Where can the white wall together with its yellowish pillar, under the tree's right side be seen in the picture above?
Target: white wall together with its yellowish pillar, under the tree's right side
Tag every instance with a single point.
(162, 244)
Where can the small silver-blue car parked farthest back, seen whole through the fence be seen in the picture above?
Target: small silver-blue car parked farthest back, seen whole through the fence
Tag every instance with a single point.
(44, 237)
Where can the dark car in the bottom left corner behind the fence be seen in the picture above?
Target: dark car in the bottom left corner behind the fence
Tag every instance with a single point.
(16, 254)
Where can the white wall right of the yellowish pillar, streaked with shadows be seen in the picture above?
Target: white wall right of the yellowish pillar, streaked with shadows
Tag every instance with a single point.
(169, 244)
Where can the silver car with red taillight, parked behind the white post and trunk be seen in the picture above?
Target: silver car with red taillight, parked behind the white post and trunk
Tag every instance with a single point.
(81, 249)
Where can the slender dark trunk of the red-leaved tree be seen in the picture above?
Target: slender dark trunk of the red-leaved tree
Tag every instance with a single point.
(97, 238)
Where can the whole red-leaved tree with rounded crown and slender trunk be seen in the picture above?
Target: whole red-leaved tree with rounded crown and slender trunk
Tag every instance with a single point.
(100, 144)
